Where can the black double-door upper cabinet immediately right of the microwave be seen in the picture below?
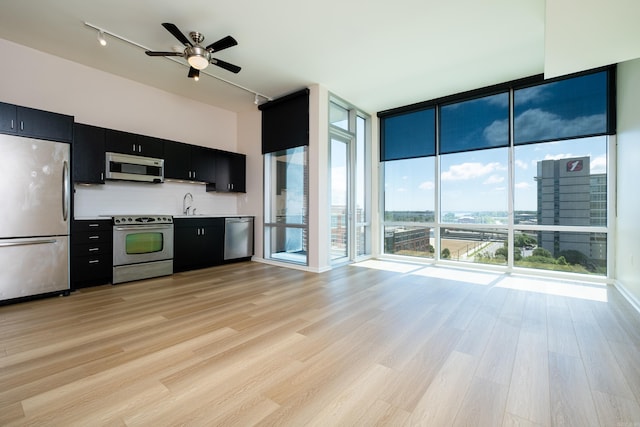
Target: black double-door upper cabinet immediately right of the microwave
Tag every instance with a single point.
(189, 162)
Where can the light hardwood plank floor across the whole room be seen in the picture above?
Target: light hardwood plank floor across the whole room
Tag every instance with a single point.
(253, 344)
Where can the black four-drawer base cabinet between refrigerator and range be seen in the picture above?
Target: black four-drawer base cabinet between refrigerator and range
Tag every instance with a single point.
(91, 253)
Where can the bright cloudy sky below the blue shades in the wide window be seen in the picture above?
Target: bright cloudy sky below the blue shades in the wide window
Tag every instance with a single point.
(478, 181)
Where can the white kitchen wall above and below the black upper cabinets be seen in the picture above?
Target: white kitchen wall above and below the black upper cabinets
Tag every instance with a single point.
(35, 79)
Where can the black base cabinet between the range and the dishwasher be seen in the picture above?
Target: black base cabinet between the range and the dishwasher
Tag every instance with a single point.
(197, 243)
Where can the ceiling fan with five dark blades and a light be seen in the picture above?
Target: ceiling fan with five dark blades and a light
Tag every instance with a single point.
(198, 56)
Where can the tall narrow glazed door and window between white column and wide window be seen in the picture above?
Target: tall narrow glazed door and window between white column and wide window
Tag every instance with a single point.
(349, 187)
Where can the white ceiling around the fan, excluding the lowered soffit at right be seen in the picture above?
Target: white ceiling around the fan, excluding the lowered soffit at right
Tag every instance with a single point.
(375, 54)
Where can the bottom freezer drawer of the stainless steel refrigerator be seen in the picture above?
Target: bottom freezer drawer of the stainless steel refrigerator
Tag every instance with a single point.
(33, 266)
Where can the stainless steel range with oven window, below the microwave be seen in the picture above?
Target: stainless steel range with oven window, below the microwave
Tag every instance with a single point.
(142, 247)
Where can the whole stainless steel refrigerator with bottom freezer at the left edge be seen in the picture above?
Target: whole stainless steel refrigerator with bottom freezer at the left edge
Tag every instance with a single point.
(34, 217)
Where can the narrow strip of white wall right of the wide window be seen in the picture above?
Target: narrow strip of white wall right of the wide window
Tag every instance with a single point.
(627, 235)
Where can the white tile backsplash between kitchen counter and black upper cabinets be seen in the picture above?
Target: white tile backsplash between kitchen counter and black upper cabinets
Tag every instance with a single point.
(116, 198)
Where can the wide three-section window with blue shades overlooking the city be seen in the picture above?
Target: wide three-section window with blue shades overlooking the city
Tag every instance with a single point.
(514, 175)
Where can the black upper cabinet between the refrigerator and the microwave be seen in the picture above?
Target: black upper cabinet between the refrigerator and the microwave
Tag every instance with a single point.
(88, 162)
